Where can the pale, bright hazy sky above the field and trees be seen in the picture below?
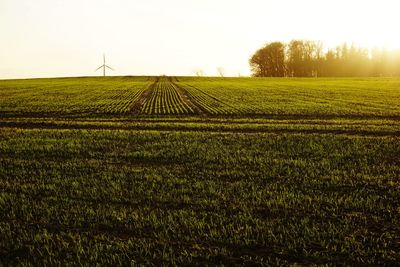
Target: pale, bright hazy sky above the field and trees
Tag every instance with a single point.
(62, 38)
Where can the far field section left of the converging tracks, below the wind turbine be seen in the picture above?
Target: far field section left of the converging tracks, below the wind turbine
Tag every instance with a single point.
(65, 96)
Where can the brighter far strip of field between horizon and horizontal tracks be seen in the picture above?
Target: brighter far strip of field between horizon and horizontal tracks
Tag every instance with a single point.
(202, 96)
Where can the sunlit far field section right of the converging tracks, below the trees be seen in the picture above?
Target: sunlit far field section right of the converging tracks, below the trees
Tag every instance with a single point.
(303, 97)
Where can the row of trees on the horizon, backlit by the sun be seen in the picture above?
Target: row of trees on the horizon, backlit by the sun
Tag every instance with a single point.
(304, 58)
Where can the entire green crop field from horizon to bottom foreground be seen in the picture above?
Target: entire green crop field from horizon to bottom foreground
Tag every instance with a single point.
(200, 171)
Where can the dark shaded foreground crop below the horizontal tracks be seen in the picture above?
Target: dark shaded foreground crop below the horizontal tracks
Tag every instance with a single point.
(148, 197)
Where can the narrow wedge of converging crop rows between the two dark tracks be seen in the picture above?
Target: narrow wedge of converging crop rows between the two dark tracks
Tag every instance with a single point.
(165, 99)
